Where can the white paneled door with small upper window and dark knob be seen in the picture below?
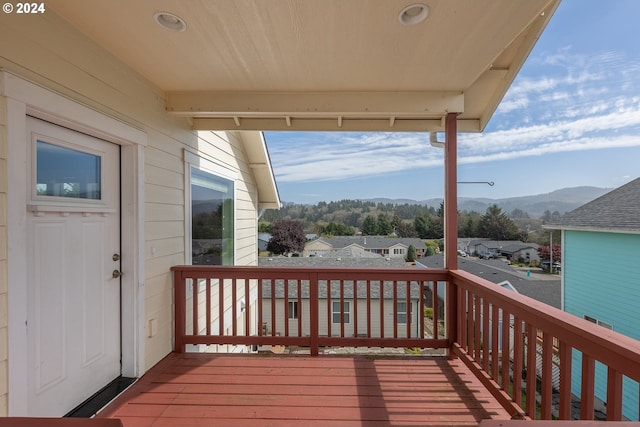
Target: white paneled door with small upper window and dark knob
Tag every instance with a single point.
(73, 288)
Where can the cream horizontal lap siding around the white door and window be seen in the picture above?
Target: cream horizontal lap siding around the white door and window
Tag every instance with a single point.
(77, 68)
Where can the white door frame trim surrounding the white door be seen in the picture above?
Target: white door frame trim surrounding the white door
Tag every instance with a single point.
(26, 98)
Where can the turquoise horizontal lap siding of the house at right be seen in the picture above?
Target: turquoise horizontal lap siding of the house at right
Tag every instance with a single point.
(602, 280)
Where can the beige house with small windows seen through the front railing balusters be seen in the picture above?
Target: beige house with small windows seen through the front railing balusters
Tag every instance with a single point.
(398, 313)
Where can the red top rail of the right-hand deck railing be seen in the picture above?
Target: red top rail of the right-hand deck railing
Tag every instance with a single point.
(607, 346)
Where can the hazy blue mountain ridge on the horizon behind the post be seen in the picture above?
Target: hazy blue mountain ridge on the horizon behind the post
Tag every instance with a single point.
(563, 200)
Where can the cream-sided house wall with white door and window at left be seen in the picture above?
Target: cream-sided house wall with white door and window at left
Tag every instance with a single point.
(102, 193)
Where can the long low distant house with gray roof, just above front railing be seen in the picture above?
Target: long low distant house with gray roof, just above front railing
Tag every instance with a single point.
(390, 247)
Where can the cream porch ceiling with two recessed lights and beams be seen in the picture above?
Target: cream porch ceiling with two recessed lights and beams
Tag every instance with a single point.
(321, 65)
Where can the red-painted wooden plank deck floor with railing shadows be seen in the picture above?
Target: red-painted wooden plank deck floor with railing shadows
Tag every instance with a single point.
(285, 390)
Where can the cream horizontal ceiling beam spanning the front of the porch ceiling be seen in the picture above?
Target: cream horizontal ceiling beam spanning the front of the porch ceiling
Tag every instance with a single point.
(413, 104)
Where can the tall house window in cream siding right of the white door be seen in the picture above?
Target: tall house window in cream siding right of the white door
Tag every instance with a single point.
(212, 218)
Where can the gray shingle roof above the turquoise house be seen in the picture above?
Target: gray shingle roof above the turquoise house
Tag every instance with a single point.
(618, 210)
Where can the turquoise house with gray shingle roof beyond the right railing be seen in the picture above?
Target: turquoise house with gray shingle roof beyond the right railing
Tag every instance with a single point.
(601, 272)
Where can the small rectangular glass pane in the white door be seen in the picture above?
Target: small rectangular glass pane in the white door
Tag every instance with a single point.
(64, 172)
